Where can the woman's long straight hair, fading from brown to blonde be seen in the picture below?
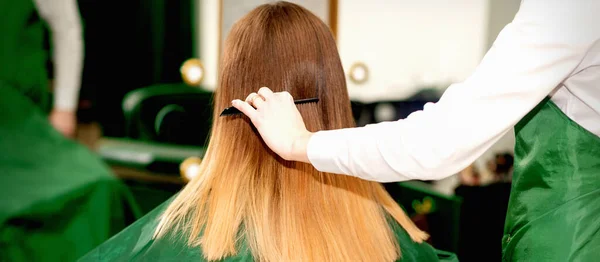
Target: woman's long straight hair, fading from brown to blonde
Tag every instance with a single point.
(244, 192)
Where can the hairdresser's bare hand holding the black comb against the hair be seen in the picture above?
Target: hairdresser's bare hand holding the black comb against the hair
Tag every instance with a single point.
(278, 121)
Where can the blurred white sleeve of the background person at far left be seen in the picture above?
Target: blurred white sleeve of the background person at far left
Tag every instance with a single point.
(65, 23)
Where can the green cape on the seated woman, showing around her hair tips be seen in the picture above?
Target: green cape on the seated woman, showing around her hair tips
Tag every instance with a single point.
(136, 244)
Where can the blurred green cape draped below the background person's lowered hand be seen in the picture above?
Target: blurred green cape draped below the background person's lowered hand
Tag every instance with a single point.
(57, 199)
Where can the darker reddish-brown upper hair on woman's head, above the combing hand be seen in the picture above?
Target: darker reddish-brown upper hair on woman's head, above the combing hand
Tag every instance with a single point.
(287, 48)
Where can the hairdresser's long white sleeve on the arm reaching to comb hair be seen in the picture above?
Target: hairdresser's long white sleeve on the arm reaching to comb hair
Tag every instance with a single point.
(531, 57)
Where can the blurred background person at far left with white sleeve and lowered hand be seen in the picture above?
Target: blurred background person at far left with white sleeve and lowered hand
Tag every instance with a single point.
(23, 59)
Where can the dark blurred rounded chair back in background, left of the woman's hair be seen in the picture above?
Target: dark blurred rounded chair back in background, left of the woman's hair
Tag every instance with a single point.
(169, 113)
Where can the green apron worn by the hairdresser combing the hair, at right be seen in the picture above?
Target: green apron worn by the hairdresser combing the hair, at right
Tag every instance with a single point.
(554, 208)
